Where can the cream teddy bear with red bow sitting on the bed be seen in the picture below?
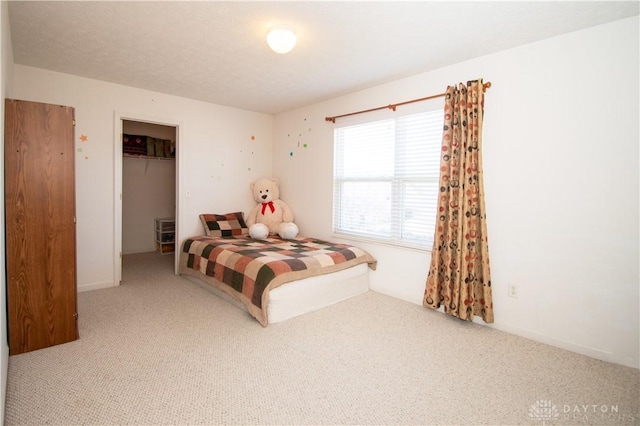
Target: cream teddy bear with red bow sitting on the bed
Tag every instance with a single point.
(271, 215)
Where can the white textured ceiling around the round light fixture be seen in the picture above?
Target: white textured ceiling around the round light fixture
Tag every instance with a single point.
(216, 51)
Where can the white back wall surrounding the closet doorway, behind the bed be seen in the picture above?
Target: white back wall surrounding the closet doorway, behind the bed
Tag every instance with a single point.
(221, 151)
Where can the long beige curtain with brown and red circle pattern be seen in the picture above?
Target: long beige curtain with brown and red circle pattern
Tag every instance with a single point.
(459, 276)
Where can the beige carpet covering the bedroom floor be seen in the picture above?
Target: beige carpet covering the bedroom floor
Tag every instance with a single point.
(162, 350)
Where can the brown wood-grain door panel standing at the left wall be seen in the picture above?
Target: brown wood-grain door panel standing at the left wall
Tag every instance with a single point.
(40, 225)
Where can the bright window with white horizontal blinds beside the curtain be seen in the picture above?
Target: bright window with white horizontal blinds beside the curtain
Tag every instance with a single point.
(386, 178)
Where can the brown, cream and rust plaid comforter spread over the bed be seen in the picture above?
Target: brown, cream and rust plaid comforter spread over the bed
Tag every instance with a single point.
(247, 269)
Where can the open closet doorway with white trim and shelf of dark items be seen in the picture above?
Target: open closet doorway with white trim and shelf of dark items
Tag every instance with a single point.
(146, 187)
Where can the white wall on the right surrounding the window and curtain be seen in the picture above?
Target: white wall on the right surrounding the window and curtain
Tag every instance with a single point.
(561, 164)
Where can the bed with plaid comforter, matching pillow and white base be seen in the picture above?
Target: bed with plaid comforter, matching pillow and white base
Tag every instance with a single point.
(274, 279)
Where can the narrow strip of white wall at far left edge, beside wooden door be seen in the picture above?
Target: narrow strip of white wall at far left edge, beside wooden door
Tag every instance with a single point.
(6, 80)
